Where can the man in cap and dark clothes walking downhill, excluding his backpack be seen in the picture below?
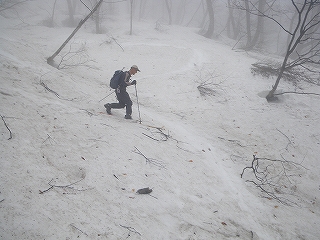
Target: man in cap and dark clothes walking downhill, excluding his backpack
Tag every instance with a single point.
(121, 92)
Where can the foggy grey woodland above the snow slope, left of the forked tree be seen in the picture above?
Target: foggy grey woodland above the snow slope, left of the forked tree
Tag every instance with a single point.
(224, 20)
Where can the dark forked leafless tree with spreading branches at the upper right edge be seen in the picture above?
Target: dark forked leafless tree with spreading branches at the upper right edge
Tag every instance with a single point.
(304, 44)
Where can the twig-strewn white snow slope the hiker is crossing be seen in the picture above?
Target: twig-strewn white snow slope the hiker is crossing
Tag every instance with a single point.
(193, 147)
